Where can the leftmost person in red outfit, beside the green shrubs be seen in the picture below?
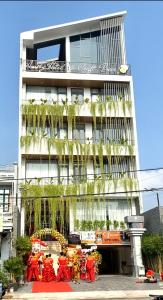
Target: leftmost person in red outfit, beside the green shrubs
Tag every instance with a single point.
(33, 268)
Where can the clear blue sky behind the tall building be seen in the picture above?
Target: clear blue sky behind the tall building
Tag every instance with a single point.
(144, 44)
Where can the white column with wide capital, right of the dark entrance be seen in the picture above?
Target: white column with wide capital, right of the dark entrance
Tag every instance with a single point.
(135, 235)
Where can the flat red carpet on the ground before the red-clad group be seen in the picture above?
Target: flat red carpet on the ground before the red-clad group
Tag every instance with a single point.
(51, 287)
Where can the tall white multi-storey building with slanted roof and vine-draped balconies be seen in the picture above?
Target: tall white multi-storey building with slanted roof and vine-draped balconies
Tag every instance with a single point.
(78, 143)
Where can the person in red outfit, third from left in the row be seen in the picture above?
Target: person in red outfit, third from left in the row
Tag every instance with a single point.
(63, 272)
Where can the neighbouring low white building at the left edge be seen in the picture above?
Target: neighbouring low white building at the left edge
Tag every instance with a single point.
(8, 195)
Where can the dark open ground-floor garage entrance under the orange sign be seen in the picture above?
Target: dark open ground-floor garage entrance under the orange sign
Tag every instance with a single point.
(115, 260)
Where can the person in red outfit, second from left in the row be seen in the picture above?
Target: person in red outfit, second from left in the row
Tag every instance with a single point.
(48, 273)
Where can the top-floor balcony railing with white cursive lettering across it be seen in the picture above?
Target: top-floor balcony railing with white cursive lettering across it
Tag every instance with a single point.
(71, 67)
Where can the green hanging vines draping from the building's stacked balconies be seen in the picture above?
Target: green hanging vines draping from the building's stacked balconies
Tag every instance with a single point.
(36, 116)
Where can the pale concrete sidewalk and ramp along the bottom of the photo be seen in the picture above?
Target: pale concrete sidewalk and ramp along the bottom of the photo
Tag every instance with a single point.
(107, 287)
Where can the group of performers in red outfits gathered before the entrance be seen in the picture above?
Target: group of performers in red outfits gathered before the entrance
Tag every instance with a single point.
(74, 266)
